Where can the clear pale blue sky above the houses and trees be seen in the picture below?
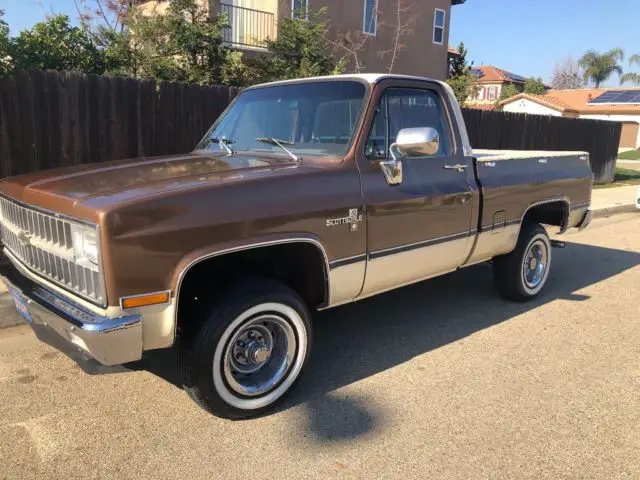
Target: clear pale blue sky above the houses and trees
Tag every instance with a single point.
(525, 37)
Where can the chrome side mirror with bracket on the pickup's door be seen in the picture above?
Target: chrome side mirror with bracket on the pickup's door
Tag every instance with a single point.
(410, 142)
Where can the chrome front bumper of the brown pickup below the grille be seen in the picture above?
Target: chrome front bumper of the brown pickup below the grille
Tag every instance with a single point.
(110, 341)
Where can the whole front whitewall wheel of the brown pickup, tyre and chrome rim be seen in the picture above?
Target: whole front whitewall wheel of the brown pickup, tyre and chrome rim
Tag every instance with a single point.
(249, 351)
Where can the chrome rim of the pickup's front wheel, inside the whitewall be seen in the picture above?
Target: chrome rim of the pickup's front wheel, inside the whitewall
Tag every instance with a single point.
(259, 355)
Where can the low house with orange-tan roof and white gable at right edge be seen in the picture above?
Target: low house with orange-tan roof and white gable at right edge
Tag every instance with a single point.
(615, 104)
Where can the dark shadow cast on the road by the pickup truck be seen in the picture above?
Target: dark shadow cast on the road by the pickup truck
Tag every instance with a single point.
(362, 339)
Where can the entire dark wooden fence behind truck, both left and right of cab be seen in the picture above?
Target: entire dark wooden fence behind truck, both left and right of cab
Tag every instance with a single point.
(51, 119)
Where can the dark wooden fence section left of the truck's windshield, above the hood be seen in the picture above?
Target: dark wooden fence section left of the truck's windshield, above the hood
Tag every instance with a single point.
(51, 119)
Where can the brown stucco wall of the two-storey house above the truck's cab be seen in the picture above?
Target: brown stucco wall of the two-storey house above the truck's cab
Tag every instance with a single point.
(419, 57)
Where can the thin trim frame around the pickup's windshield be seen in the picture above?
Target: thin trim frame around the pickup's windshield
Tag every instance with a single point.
(368, 89)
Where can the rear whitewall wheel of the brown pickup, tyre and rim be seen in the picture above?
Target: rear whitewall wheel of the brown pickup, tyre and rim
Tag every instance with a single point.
(522, 274)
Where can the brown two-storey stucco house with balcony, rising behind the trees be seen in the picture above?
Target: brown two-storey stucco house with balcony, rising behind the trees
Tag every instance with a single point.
(425, 49)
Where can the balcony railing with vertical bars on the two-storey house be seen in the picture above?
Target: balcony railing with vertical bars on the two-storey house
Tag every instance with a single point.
(246, 27)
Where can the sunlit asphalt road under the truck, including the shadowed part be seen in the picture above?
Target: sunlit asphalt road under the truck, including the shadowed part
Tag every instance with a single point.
(438, 380)
